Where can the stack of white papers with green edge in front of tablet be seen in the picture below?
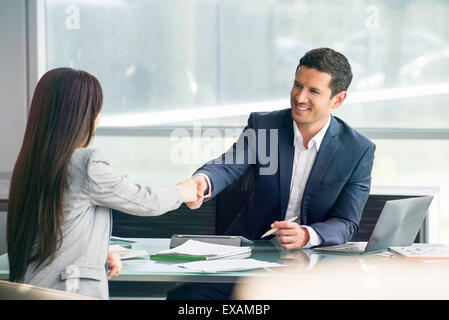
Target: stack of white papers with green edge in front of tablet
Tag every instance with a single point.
(197, 250)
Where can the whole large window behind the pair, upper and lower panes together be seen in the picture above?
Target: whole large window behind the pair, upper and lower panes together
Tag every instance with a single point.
(209, 63)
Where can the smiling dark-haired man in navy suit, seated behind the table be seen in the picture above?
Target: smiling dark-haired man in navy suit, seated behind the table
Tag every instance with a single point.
(323, 173)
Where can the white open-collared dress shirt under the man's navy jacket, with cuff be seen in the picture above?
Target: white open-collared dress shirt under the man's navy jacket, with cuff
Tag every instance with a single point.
(302, 165)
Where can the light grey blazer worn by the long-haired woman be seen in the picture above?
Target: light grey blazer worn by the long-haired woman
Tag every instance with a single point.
(80, 264)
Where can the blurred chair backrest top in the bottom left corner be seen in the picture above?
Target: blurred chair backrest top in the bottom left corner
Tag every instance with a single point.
(21, 291)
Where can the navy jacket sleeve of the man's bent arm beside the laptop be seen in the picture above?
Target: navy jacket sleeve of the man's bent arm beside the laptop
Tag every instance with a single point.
(345, 216)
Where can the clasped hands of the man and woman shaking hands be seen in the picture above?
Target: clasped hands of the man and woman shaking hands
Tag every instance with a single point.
(193, 191)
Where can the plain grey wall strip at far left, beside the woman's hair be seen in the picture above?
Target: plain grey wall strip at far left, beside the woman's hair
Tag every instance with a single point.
(13, 80)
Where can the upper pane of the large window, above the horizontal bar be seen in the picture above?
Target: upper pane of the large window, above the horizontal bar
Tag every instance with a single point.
(154, 56)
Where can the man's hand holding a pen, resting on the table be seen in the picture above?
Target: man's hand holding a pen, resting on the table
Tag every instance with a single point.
(291, 235)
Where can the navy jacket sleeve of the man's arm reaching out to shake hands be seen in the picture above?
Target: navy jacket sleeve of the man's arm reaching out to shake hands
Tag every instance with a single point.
(227, 168)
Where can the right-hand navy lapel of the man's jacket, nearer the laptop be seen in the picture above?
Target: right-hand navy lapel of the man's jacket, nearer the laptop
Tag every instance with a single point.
(323, 159)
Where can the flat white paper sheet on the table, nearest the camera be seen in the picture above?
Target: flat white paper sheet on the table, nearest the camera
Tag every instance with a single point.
(228, 265)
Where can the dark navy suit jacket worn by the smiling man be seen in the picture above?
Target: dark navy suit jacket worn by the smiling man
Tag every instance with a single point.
(335, 193)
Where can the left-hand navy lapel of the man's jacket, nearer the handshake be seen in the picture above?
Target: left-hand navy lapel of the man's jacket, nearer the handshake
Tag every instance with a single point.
(286, 154)
